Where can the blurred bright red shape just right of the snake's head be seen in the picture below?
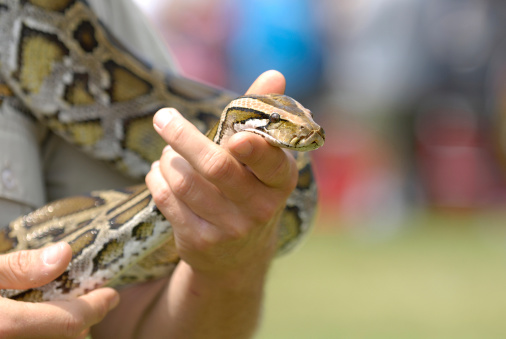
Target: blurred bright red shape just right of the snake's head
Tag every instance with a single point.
(356, 173)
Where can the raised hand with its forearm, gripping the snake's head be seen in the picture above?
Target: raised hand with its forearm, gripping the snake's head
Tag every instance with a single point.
(224, 204)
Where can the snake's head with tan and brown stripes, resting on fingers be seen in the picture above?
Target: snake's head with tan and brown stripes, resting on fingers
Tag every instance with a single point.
(281, 120)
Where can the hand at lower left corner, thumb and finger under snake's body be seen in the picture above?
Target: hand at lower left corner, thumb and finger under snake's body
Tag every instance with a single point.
(56, 319)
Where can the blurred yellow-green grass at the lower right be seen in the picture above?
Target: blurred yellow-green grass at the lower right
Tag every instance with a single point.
(440, 276)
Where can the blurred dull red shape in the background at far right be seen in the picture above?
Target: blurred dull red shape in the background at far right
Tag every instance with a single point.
(452, 158)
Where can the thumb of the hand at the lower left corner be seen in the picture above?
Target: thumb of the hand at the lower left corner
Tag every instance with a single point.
(32, 268)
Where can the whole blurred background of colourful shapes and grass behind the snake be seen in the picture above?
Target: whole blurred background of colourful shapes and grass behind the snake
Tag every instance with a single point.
(410, 237)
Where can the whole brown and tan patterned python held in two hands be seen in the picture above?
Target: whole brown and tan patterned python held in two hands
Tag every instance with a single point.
(60, 64)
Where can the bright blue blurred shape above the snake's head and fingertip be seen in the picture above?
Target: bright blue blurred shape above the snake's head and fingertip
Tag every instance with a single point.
(281, 35)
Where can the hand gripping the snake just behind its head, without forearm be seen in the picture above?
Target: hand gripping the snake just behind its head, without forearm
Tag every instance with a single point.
(224, 203)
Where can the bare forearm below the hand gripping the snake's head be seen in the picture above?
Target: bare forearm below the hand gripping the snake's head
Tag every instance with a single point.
(200, 306)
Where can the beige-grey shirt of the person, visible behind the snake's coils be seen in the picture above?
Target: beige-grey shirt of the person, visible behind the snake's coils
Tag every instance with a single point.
(36, 166)
